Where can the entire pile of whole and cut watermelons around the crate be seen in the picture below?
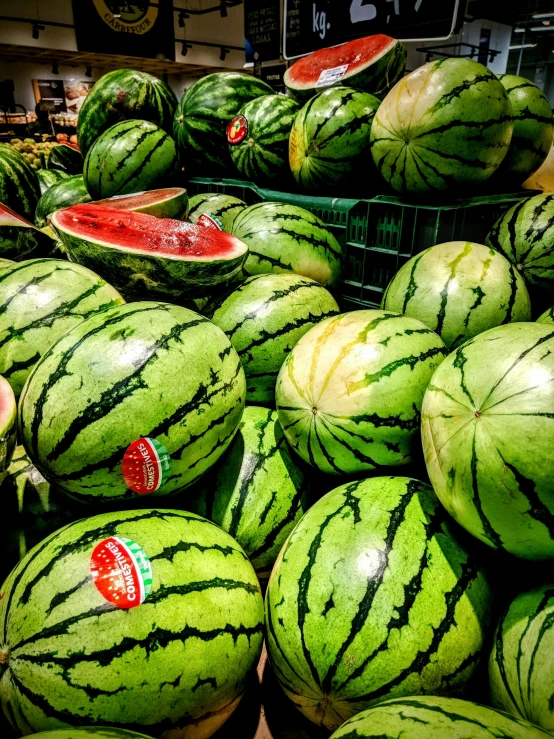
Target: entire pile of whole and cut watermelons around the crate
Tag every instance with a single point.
(189, 420)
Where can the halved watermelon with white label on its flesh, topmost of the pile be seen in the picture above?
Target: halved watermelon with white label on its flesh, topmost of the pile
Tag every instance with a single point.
(373, 64)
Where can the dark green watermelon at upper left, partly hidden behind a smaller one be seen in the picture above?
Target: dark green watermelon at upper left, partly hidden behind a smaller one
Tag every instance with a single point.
(121, 95)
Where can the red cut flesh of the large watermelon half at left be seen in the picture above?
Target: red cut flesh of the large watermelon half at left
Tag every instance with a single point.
(141, 233)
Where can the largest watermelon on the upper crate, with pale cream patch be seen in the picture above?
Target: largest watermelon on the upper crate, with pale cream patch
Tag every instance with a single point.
(443, 128)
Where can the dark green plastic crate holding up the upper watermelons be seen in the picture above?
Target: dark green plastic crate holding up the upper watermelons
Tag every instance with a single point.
(380, 234)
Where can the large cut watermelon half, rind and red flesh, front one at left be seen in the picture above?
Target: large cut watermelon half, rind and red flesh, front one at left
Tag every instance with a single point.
(144, 256)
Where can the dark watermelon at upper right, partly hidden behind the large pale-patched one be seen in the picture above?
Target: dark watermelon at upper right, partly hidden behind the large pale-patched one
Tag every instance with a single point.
(533, 130)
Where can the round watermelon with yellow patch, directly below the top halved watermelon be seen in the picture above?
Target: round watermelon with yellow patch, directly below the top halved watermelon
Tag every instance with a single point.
(329, 142)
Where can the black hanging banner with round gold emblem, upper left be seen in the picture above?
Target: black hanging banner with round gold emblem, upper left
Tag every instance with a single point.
(125, 28)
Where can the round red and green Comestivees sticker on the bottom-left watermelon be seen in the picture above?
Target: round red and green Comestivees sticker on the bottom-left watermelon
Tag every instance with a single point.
(121, 571)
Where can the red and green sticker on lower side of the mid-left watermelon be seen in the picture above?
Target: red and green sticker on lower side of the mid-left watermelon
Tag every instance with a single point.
(146, 465)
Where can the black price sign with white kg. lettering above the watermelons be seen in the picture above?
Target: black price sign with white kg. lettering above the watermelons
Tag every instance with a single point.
(315, 24)
